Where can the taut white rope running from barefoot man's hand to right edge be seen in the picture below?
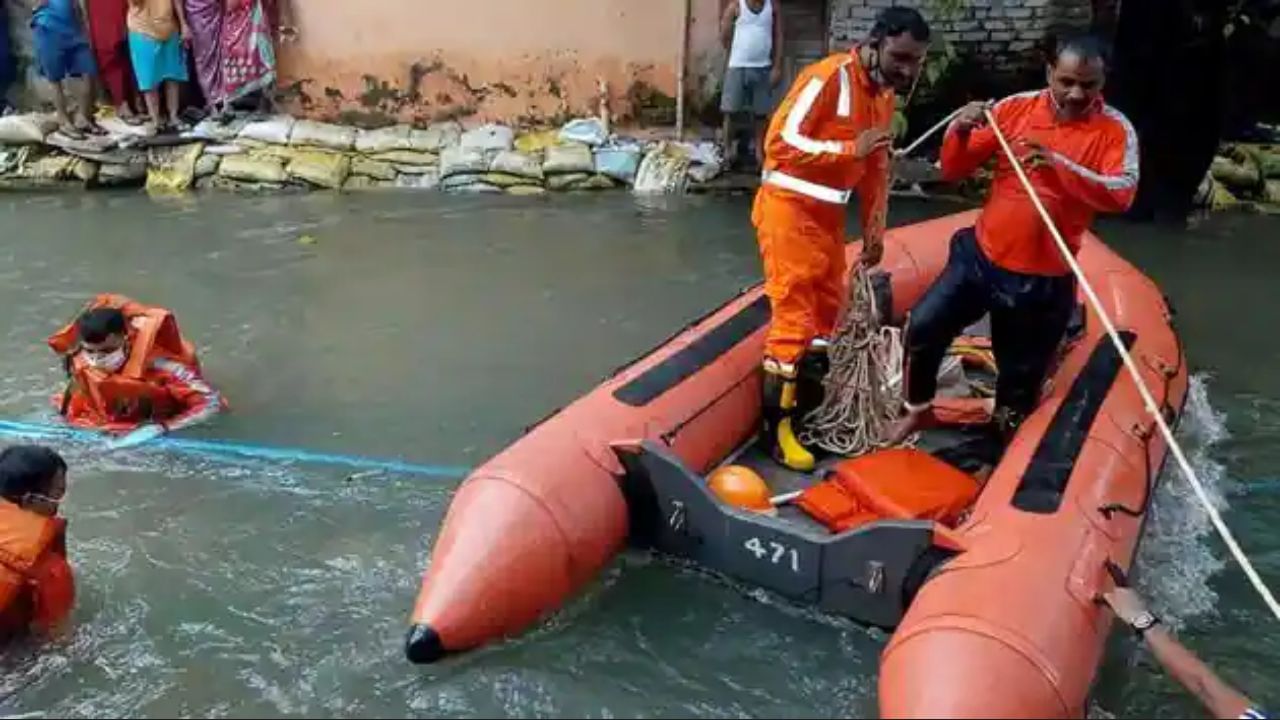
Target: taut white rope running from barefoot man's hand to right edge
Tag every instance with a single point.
(1188, 472)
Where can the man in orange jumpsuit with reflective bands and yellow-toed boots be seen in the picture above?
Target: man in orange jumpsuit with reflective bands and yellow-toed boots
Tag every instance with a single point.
(830, 136)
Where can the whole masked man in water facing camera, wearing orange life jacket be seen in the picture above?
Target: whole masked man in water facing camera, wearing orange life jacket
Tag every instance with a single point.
(130, 371)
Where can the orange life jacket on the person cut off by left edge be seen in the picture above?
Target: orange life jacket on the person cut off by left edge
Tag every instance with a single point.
(36, 582)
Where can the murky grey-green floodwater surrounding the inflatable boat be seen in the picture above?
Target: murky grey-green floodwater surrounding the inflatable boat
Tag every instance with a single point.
(433, 330)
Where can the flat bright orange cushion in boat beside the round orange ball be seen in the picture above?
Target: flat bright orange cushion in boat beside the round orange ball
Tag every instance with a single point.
(890, 485)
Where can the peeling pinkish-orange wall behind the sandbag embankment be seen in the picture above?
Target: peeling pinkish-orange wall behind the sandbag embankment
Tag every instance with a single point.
(487, 60)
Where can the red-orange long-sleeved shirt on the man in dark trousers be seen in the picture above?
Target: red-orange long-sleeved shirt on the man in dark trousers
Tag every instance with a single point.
(1094, 170)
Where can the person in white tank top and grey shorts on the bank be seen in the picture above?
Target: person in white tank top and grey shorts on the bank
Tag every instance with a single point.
(752, 31)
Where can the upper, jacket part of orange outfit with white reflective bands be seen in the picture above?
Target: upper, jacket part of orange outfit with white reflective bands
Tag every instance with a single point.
(810, 147)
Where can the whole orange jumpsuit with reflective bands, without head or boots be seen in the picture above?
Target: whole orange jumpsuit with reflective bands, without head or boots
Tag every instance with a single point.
(811, 170)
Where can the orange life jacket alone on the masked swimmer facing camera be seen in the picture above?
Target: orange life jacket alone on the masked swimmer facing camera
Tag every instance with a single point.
(124, 400)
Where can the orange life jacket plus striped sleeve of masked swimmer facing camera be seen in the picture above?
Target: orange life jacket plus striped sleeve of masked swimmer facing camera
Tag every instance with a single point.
(161, 380)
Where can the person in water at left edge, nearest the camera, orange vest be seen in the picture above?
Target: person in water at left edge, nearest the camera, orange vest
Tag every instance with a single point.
(38, 589)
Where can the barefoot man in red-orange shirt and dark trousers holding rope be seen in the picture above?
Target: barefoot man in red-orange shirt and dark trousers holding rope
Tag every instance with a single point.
(1082, 158)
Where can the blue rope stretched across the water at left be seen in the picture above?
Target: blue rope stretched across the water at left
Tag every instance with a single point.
(42, 431)
